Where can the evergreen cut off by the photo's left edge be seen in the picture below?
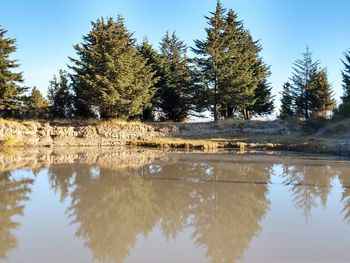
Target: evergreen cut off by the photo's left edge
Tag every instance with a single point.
(11, 95)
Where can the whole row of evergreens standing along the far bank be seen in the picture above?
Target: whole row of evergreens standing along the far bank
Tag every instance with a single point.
(112, 76)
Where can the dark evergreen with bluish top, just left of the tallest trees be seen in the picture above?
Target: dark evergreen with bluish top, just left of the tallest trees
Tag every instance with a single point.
(176, 92)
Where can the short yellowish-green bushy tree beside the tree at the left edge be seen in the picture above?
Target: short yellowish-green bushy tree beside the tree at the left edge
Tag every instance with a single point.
(37, 105)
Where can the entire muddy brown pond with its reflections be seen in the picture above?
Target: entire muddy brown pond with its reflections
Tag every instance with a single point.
(146, 206)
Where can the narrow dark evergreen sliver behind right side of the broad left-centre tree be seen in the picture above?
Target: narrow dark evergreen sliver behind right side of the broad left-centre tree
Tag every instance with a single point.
(154, 61)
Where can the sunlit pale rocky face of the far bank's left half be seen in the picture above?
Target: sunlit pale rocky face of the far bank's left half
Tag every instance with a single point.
(80, 134)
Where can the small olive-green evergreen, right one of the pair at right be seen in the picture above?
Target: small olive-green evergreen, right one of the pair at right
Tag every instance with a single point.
(323, 102)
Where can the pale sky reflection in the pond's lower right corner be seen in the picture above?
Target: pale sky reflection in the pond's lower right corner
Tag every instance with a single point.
(288, 237)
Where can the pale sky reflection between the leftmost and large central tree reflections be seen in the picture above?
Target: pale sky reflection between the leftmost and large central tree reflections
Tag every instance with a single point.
(45, 234)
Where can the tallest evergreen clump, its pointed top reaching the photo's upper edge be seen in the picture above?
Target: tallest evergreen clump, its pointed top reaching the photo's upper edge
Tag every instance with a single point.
(232, 68)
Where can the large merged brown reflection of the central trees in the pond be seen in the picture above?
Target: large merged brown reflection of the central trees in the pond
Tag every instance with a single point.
(114, 206)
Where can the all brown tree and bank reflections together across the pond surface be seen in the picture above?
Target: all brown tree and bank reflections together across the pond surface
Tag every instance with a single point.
(117, 195)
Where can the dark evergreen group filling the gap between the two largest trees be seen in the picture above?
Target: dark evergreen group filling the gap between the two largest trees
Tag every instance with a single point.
(179, 92)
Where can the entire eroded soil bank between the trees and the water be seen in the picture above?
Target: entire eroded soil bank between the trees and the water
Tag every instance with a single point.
(332, 138)
